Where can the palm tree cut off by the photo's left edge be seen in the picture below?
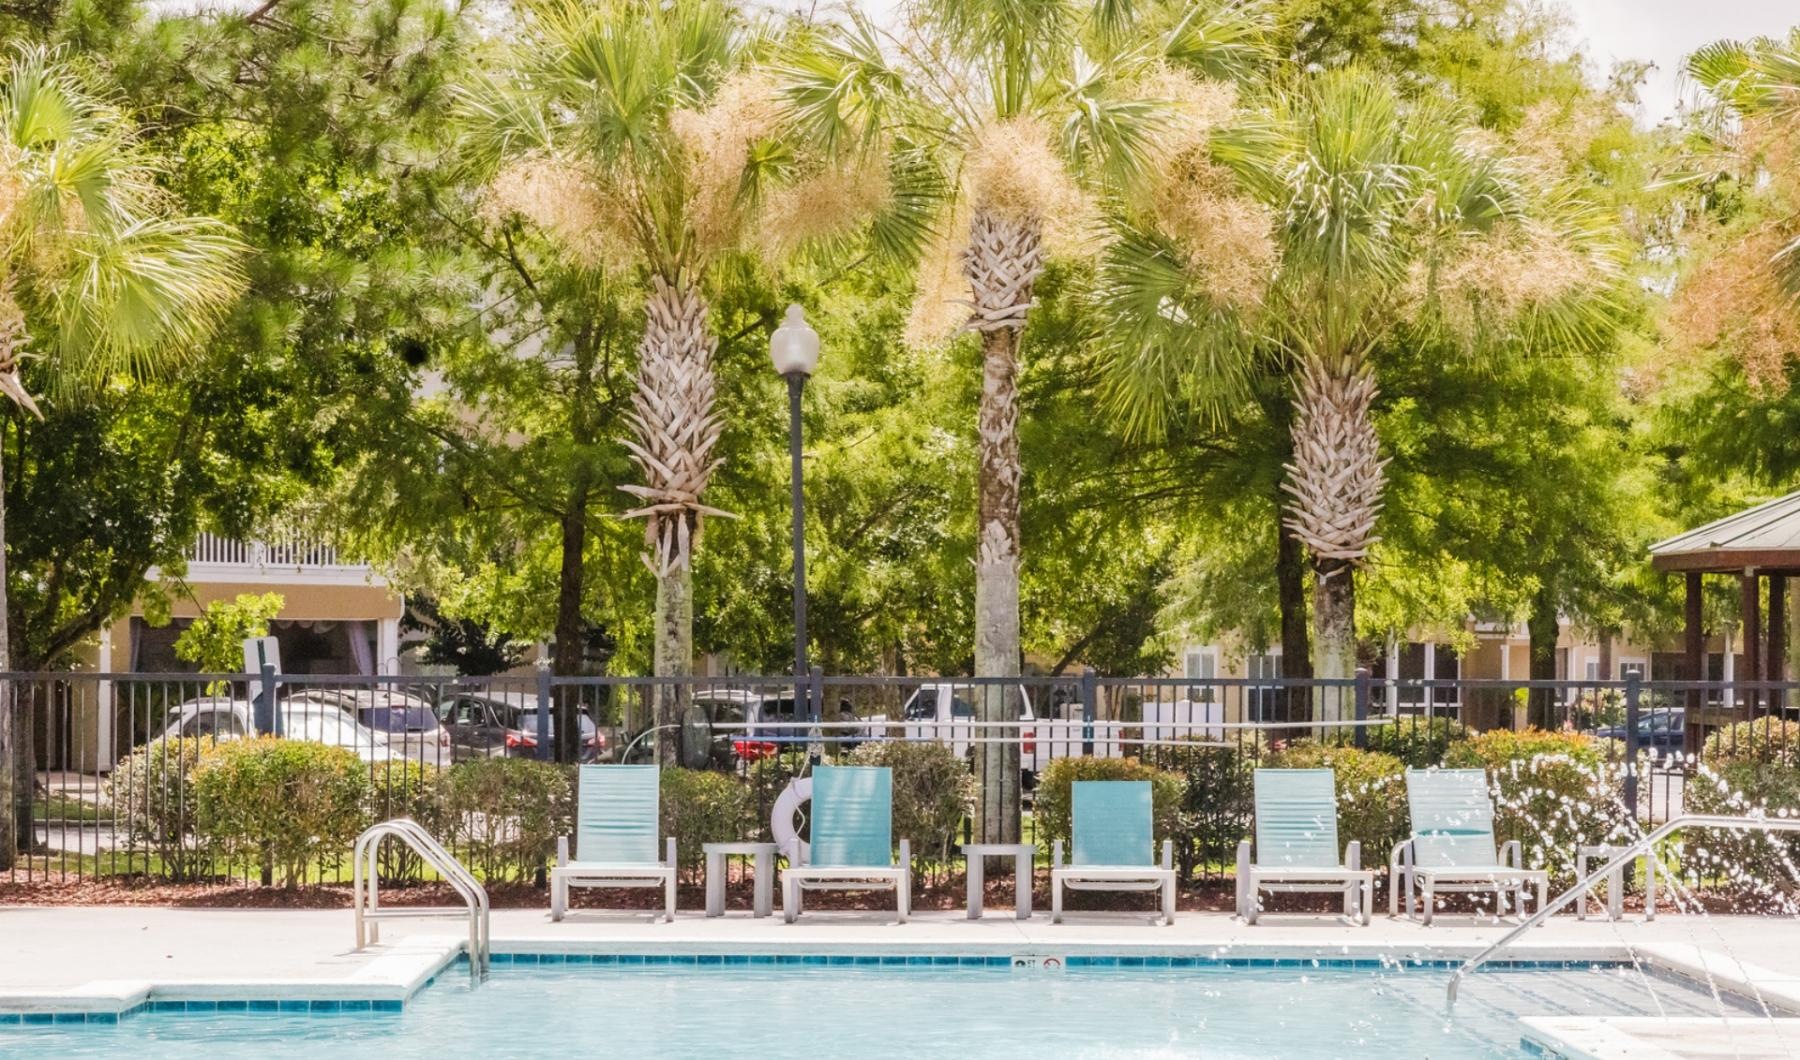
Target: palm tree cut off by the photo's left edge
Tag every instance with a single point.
(100, 278)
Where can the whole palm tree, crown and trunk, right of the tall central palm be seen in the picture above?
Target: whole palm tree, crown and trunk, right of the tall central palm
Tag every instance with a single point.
(1331, 222)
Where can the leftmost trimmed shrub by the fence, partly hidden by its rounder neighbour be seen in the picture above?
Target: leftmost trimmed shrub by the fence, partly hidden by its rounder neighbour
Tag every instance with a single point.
(152, 793)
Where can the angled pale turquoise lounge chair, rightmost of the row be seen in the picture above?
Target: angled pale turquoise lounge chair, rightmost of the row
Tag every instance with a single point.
(1453, 845)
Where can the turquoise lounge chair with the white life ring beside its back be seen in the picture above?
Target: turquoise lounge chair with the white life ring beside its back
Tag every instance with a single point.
(852, 841)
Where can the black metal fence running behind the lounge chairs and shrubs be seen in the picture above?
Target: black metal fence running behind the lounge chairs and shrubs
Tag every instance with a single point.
(114, 759)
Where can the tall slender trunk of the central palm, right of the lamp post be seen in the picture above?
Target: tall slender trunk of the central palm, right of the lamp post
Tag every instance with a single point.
(1003, 260)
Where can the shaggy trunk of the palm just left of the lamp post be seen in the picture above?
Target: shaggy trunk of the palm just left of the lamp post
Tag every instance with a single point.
(676, 433)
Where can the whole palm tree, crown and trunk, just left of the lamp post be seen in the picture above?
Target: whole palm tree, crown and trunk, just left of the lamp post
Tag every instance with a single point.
(647, 141)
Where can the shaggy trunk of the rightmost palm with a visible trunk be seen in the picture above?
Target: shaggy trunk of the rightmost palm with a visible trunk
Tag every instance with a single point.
(1335, 489)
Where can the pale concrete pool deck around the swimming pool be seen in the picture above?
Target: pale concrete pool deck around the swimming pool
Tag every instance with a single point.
(109, 960)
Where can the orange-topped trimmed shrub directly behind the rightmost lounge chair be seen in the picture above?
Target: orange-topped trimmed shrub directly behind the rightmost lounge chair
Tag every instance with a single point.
(1552, 791)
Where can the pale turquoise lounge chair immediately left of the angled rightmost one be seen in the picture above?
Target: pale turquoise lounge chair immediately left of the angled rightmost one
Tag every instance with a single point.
(1297, 845)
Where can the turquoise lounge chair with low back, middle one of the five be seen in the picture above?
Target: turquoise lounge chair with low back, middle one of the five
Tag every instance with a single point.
(1111, 847)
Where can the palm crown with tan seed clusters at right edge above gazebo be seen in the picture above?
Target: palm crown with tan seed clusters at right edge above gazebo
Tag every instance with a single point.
(1745, 296)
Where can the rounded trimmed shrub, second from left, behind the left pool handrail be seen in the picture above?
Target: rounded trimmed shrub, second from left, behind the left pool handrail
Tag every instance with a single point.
(285, 804)
